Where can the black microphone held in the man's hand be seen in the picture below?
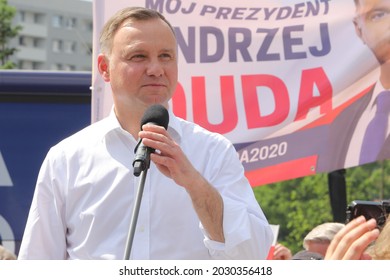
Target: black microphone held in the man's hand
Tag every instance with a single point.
(155, 114)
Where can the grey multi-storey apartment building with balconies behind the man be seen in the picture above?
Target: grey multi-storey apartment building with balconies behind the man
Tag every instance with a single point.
(56, 35)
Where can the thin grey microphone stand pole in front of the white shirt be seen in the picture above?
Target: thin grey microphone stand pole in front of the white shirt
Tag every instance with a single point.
(135, 213)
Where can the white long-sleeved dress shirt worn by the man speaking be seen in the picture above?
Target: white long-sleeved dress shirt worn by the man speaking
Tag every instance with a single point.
(85, 191)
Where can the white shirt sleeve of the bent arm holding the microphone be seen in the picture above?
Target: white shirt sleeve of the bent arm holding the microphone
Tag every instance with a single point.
(246, 229)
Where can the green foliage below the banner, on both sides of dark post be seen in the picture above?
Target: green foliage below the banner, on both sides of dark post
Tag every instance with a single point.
(299, 205)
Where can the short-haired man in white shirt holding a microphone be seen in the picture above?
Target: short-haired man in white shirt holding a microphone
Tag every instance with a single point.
(197, 203)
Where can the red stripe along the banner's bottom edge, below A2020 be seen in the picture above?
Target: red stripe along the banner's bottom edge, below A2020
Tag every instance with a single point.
(283, 171)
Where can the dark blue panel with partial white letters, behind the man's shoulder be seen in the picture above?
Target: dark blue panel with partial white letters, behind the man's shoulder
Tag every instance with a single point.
(27, 131)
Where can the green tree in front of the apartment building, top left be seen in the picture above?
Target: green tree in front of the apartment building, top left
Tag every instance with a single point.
(7, 32)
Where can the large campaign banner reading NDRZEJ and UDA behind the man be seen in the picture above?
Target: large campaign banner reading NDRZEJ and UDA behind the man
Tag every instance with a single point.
(290, 83)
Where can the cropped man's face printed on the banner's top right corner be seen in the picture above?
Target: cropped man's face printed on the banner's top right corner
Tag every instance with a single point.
(372, 24)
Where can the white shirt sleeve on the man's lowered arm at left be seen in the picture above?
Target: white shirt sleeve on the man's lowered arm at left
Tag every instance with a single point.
(44, 235)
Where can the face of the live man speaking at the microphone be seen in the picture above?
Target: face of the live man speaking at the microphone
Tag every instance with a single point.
(142, 65)
